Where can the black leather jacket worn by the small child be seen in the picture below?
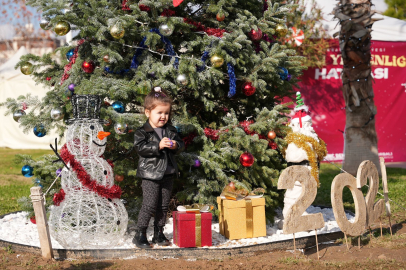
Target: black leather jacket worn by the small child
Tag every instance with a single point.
(152, 161)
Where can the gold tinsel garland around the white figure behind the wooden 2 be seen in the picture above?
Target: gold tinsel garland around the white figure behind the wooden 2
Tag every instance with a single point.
(315, 148)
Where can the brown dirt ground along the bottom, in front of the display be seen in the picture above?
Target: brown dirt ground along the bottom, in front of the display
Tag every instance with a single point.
(387, 252)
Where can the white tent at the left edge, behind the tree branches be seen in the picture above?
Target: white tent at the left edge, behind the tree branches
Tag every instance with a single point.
(13, 84)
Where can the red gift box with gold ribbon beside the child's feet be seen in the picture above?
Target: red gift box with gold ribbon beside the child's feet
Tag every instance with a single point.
(186, 230)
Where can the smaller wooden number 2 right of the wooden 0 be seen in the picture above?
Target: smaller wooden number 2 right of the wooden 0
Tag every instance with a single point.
(367, 169)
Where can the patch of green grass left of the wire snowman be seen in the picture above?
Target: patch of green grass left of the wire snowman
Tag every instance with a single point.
(12, 184)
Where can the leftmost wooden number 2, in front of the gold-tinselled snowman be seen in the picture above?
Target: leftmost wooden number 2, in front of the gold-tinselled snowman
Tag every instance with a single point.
(294, 221)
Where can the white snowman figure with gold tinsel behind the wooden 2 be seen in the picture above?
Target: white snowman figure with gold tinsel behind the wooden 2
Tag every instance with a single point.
(304, 148)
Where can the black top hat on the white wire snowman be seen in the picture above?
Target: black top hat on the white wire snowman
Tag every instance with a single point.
(86, 107)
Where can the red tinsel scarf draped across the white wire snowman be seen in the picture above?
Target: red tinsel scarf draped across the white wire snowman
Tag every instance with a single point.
(85, 179)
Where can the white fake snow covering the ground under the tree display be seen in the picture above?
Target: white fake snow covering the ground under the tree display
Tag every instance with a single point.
(17, 228)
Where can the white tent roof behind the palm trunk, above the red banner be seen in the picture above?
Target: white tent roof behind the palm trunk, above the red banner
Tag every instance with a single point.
(387, 29)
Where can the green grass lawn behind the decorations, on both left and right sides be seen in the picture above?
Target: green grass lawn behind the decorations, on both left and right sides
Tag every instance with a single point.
(13, 185)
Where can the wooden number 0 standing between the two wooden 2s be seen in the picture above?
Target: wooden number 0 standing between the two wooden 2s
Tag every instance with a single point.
(347, 180)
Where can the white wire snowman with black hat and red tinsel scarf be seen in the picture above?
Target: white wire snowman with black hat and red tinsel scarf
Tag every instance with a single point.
(88, 213)
